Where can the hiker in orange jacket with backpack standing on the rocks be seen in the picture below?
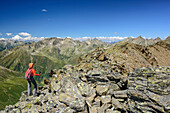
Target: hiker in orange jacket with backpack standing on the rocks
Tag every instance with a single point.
(29, 77)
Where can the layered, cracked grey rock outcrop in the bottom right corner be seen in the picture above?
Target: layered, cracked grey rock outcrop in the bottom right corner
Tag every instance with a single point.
(149, 90)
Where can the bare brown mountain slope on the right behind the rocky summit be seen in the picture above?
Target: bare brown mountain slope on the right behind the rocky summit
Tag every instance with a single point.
(135, 56)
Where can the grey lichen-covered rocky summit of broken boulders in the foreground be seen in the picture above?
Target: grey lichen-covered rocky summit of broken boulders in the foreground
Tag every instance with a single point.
(100, 85)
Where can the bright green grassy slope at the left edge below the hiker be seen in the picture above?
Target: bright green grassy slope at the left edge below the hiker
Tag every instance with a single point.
(11, 85)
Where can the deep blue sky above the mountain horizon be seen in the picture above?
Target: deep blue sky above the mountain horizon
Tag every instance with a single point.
(85, 18)
